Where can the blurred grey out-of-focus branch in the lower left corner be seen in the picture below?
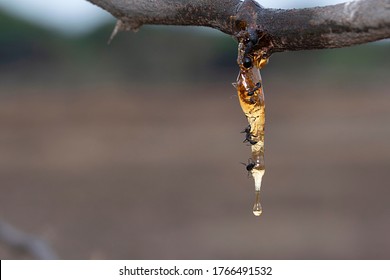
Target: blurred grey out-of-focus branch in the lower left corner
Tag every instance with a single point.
(22, 241)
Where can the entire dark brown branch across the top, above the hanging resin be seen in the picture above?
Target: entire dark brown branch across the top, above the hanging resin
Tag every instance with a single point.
(333, 26)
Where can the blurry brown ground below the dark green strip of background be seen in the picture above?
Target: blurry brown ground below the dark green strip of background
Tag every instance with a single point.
(151, 173)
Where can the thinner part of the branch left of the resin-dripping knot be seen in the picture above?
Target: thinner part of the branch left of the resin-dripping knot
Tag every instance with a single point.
(135, 13)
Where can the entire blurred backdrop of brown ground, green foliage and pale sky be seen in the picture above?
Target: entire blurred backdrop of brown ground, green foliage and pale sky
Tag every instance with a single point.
(132, 150)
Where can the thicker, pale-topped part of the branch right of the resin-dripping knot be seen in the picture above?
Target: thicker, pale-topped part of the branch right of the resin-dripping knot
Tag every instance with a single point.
(334, 26)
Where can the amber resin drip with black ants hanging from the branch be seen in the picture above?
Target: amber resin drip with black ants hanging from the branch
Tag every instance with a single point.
(251, 96)
